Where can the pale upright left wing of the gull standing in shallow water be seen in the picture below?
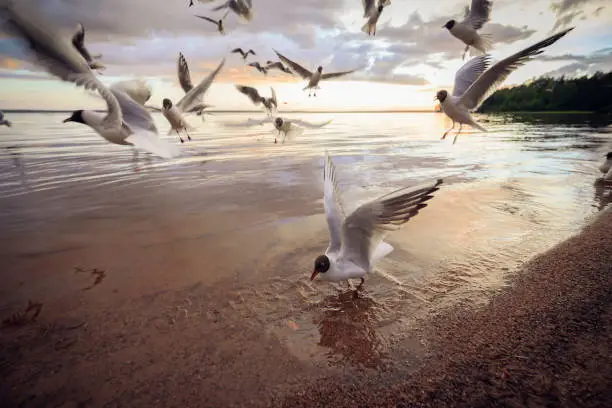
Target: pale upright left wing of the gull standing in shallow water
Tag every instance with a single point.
(334, 213)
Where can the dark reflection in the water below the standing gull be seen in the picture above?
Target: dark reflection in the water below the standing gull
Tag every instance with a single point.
(347, 326)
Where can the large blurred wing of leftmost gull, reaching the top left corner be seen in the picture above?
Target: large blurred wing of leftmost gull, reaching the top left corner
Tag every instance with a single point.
(56, 55)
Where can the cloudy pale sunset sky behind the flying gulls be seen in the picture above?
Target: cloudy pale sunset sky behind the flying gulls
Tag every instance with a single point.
(402, 67)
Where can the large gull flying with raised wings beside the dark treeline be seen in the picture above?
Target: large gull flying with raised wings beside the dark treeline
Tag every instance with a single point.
(474, 83)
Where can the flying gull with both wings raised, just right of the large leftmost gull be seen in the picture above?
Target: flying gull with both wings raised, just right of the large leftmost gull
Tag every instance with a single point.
(191, 102)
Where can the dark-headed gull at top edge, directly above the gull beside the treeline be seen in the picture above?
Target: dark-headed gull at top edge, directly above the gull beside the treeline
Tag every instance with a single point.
(475, 17)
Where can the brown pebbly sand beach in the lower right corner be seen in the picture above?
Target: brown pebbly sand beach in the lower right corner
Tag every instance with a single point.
(543, 342)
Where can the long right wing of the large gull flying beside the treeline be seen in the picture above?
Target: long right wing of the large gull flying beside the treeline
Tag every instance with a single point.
(488, 82)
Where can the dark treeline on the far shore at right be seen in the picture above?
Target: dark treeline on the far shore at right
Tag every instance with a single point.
(585, 93)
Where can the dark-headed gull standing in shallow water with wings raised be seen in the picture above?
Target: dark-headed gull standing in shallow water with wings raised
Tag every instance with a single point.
(356, 241)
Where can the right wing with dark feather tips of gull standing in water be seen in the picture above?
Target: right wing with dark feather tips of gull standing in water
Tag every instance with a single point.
(364, 229)
